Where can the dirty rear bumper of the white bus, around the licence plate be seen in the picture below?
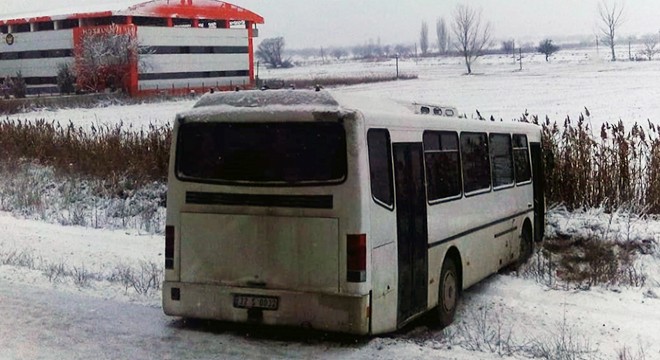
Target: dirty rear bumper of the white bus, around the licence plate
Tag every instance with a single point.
(322, 311)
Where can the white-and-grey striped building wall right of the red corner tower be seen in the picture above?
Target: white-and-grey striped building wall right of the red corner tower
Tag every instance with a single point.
(193, 57)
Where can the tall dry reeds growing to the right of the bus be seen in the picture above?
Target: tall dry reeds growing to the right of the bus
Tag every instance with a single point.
(611, 168)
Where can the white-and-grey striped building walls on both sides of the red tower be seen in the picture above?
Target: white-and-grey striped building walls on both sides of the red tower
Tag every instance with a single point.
(180, 58)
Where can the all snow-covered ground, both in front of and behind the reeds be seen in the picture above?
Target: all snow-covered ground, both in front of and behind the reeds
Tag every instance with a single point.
(65, 290)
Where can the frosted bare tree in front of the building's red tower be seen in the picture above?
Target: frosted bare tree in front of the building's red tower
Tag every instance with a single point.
(105, 55)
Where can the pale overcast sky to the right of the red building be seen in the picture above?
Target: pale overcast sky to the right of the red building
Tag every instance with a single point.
(311, 23)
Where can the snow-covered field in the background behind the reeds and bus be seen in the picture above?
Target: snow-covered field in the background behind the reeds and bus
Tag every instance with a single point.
(564, 86)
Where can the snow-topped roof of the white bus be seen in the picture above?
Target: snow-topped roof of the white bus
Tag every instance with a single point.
(303, 105)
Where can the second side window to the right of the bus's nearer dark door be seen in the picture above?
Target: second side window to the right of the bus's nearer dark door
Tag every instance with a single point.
(476, 162)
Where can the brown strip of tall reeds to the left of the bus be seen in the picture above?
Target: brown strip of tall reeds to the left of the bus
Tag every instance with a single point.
(118, 153)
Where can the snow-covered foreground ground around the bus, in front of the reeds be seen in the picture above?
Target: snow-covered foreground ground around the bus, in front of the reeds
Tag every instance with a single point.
(504, 316)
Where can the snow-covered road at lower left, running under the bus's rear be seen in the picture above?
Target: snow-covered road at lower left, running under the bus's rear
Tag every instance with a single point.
(37, 323)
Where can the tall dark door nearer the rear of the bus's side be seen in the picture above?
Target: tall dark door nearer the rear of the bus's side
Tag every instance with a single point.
(412, 230)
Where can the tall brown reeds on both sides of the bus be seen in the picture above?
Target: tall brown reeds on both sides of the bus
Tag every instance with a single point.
(610, 168)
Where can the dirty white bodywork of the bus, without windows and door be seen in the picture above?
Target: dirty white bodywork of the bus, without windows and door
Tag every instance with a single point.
(300, 255)
